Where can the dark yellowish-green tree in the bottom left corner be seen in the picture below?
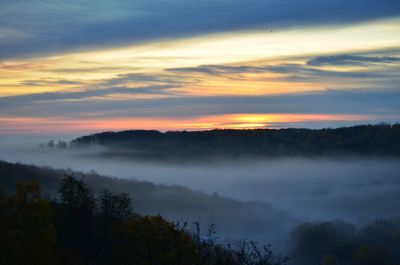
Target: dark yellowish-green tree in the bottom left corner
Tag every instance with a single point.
(27, 234)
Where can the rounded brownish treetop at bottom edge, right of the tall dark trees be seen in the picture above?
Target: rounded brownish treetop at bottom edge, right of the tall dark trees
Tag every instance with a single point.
(152, 240)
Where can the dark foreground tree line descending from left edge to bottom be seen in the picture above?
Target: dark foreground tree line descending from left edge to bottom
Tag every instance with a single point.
(79, 228)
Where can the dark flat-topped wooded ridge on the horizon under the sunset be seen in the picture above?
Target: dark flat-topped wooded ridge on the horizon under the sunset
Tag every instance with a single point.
(364, 140)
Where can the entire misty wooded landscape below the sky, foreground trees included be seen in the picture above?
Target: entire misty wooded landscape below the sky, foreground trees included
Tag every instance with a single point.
(327, 196)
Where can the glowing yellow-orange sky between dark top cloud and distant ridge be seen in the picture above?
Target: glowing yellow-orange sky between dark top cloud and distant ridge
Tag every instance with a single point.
(107, 87)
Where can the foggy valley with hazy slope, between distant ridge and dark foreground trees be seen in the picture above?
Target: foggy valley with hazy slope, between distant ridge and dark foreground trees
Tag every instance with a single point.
(257, 198)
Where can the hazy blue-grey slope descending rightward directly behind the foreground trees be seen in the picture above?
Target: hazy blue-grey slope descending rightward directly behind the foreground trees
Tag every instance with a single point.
(232, 218)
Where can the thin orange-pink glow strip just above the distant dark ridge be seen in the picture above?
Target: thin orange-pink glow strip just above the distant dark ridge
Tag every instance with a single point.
(21, 125)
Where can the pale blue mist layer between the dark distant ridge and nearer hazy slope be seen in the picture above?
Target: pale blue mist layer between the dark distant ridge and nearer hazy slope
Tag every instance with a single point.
(353, 189)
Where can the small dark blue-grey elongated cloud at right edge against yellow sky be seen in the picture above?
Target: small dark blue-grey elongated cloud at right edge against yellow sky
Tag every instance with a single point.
(343, 60)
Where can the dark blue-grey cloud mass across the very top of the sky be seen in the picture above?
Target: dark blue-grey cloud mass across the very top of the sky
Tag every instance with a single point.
(51, 26)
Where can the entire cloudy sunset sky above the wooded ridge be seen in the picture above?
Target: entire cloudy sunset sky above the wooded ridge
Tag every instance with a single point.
(77, 67)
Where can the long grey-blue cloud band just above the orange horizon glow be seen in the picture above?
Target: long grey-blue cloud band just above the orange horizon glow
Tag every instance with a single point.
(363, 102)
